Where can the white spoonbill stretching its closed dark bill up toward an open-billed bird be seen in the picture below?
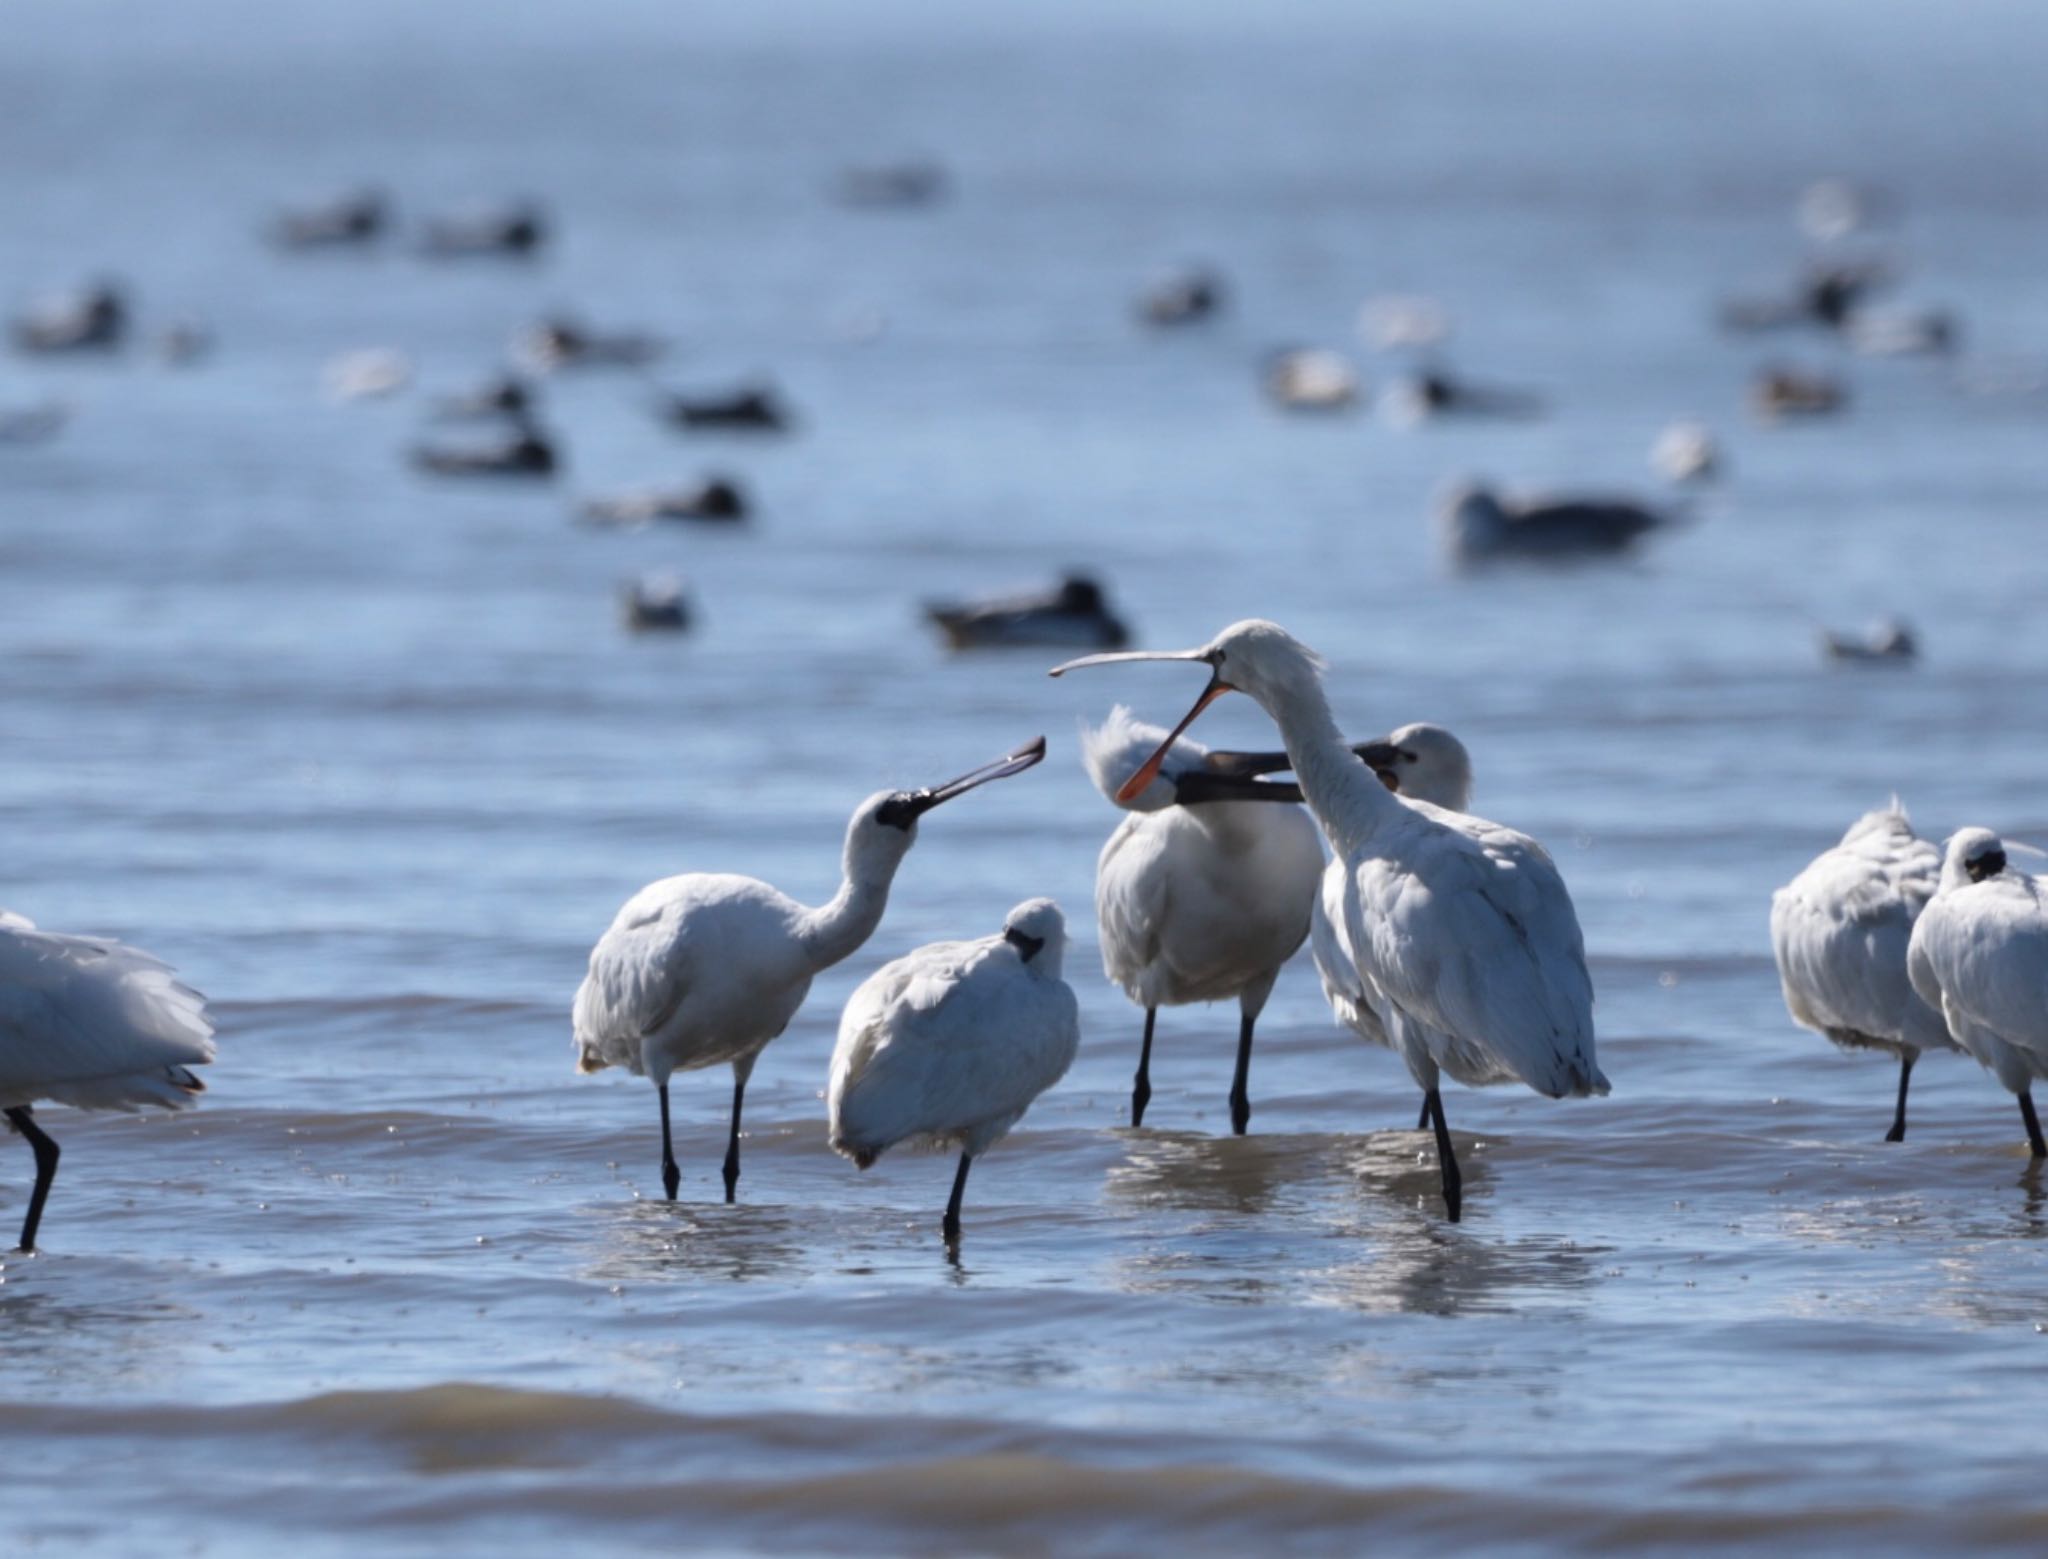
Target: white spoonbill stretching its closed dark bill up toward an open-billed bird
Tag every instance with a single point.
(708, 968)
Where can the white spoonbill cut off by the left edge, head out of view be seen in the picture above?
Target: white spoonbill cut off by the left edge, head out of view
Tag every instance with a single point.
(93, 1025)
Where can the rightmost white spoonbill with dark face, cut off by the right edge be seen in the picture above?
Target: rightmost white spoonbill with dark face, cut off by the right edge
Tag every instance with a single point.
(1979, 956)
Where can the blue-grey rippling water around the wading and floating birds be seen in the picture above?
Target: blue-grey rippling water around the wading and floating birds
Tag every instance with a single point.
(374, 763)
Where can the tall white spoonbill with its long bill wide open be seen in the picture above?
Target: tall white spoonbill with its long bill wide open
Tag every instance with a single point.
(1461, 931)
